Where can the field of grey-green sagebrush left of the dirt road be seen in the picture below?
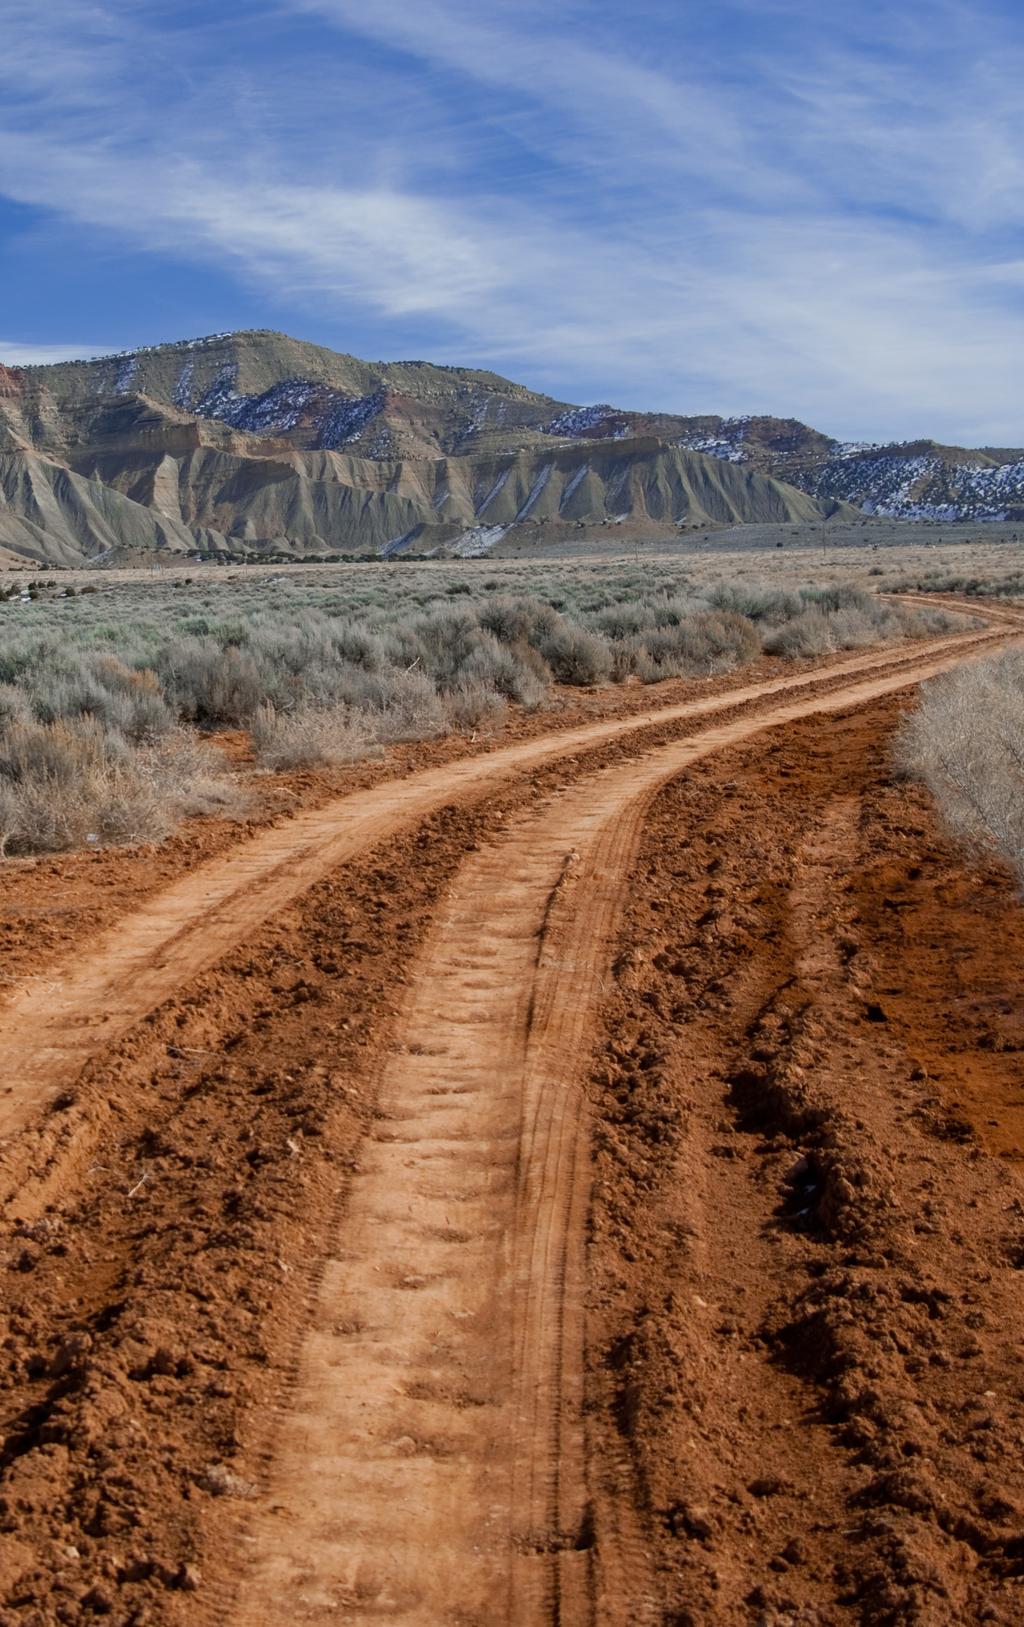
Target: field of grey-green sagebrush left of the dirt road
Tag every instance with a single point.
(128, 679)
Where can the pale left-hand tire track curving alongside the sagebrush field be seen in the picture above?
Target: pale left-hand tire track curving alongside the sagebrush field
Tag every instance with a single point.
(48, 1032)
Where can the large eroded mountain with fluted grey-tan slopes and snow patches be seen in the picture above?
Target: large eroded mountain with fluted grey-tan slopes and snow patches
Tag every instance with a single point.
(261, 445)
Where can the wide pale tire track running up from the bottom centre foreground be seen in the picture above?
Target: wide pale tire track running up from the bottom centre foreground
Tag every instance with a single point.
(431, 1465)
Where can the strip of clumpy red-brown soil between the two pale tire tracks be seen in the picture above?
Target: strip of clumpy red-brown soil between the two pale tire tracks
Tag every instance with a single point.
(195, 1262)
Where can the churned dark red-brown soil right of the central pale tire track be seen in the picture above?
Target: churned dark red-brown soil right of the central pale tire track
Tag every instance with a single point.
(805, 1309)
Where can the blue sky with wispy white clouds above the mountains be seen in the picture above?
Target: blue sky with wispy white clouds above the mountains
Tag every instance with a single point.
(756, 206)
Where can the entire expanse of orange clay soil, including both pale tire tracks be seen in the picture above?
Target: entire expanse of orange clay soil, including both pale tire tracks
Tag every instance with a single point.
(300, 1324)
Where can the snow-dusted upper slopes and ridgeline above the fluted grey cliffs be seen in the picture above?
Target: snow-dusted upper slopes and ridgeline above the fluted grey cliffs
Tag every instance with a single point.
(271, 386)
